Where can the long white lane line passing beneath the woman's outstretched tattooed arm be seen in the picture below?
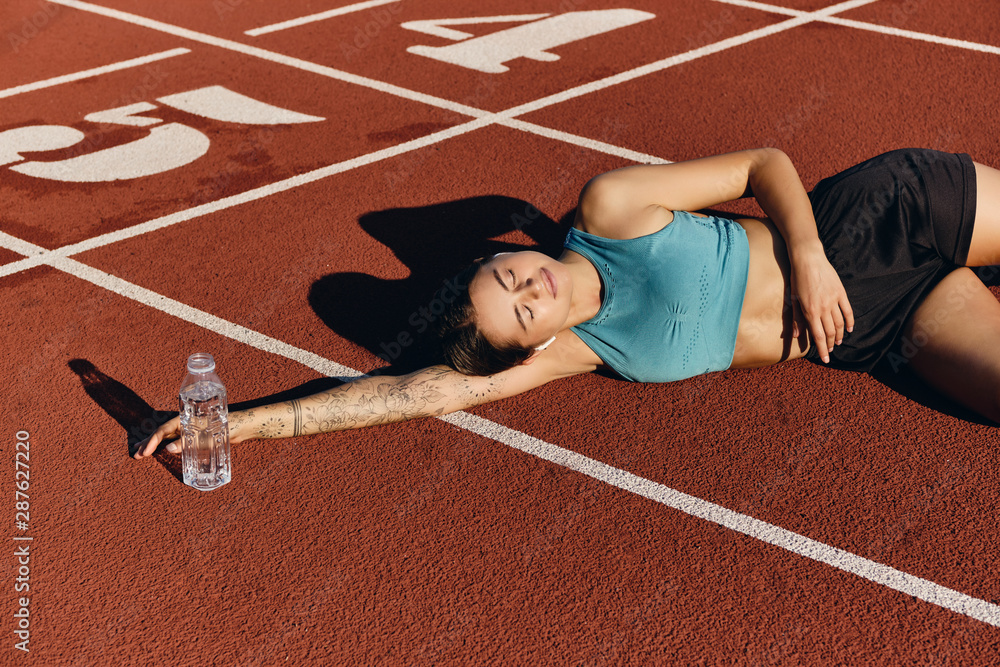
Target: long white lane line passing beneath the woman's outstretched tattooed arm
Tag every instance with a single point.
(879, 573)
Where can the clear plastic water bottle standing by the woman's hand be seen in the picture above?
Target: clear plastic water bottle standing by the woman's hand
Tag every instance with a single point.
(204, 425)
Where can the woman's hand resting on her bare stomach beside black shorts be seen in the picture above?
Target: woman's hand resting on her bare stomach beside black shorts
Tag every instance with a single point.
(819, 299)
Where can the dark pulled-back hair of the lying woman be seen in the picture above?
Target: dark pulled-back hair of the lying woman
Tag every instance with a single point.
(462, 343)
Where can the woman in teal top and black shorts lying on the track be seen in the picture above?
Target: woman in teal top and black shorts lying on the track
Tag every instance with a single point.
(873, 259)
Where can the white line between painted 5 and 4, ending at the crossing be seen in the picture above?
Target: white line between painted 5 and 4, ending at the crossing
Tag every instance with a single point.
(271, 56)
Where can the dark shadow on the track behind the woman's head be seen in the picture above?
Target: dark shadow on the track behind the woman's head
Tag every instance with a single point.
(394, 319)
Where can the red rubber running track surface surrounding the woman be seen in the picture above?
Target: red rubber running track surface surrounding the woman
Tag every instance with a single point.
(789, 515)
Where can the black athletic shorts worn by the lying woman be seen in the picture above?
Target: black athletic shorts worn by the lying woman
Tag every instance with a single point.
(893, 227)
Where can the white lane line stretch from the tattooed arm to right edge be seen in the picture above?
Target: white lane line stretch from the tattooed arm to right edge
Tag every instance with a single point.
(879, 573)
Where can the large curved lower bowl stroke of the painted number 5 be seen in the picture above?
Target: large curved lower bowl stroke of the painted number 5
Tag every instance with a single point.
(165, 147)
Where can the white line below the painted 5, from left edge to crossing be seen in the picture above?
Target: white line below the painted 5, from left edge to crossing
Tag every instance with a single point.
(35, 258)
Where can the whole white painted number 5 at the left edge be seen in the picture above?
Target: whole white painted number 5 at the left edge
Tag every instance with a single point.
(167, 145)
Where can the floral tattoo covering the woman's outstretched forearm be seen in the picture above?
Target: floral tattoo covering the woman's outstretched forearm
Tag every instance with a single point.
(370, 401)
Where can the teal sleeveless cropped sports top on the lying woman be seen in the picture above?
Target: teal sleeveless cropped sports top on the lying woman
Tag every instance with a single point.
(672, 299)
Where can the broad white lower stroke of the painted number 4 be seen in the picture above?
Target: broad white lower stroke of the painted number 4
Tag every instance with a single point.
(489, 52)
